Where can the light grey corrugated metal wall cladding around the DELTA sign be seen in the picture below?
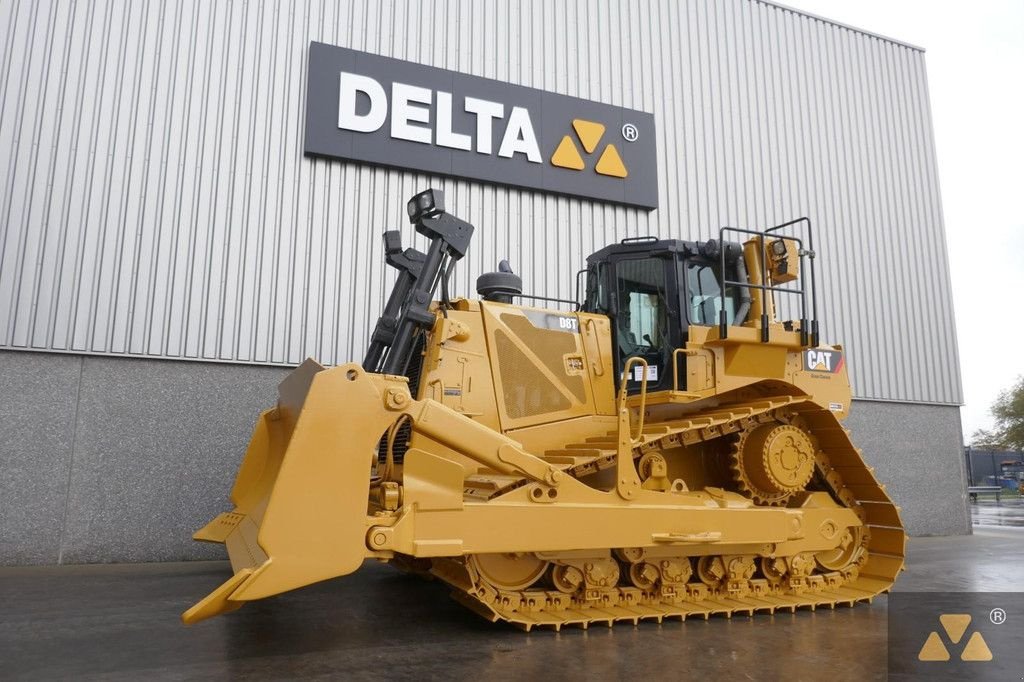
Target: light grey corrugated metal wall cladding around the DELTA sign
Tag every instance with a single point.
(155, 200)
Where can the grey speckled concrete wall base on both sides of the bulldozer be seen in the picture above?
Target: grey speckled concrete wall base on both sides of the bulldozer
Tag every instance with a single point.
(110, 460)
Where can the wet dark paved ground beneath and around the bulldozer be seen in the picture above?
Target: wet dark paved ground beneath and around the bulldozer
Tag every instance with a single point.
(121, 622)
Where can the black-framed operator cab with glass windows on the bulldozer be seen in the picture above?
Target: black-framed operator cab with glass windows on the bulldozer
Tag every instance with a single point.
(654, 290)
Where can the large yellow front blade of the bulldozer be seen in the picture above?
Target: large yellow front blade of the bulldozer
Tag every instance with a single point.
(302, 493)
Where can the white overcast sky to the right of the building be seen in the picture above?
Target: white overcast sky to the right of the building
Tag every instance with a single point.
(975, 60)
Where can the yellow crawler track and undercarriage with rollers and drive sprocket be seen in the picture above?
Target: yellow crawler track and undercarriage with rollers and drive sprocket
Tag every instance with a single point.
(700, 578)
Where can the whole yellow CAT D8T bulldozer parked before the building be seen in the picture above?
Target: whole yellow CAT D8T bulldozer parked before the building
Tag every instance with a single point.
(666, 448)
